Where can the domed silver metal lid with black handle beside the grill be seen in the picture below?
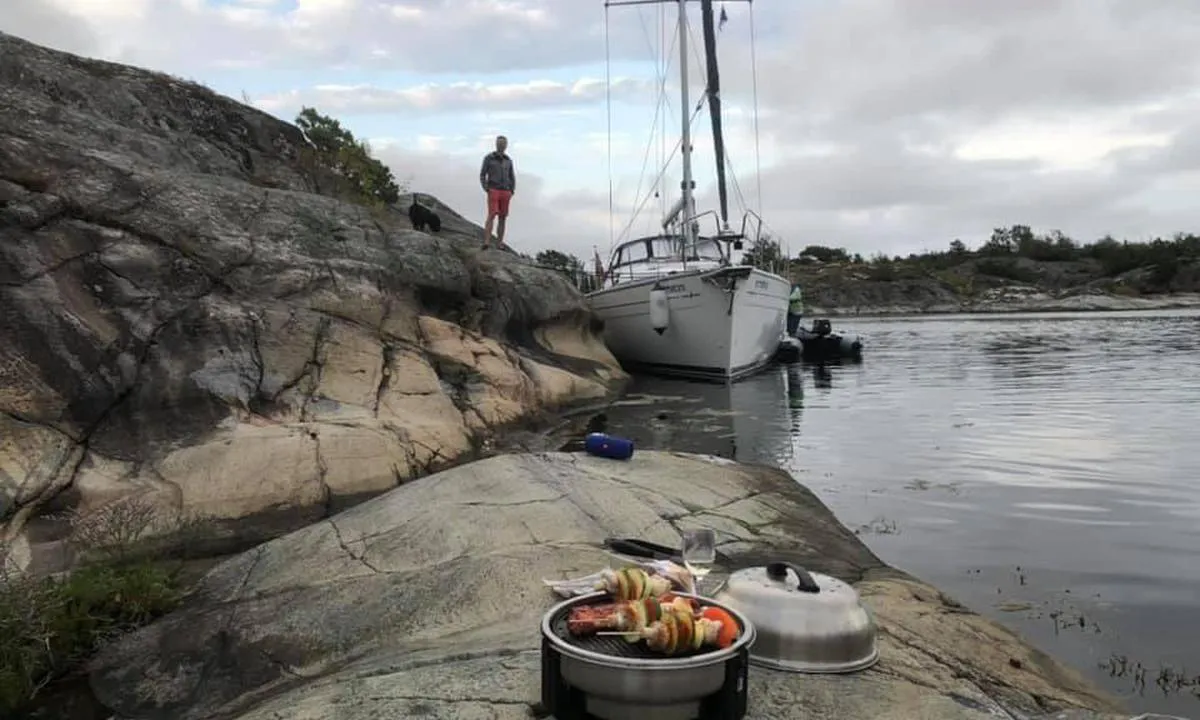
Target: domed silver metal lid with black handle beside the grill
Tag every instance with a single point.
(805, 622)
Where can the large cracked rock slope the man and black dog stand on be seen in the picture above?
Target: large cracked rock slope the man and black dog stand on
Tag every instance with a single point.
(187, 319)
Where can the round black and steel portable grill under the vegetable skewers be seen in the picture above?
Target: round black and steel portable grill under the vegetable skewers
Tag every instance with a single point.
(608, 679)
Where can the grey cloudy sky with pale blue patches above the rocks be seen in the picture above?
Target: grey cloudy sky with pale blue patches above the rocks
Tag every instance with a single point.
(884, 125)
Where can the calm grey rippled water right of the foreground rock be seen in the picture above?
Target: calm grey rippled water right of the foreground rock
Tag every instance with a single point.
(1043, 470)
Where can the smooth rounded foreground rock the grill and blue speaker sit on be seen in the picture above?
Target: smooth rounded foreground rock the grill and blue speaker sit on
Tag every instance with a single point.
(427, 602)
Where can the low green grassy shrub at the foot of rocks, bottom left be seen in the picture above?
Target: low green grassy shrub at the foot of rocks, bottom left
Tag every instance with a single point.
(51, 626)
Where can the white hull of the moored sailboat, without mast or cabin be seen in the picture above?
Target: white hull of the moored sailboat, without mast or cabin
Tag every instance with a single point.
(711, 333)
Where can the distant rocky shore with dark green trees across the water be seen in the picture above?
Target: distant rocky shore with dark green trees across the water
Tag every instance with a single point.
(1016, 271)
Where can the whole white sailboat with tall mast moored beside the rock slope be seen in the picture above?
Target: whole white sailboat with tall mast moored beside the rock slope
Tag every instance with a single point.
(675, 303)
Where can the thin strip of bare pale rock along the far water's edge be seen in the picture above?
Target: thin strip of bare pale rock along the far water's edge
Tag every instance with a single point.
(1018, 303)
